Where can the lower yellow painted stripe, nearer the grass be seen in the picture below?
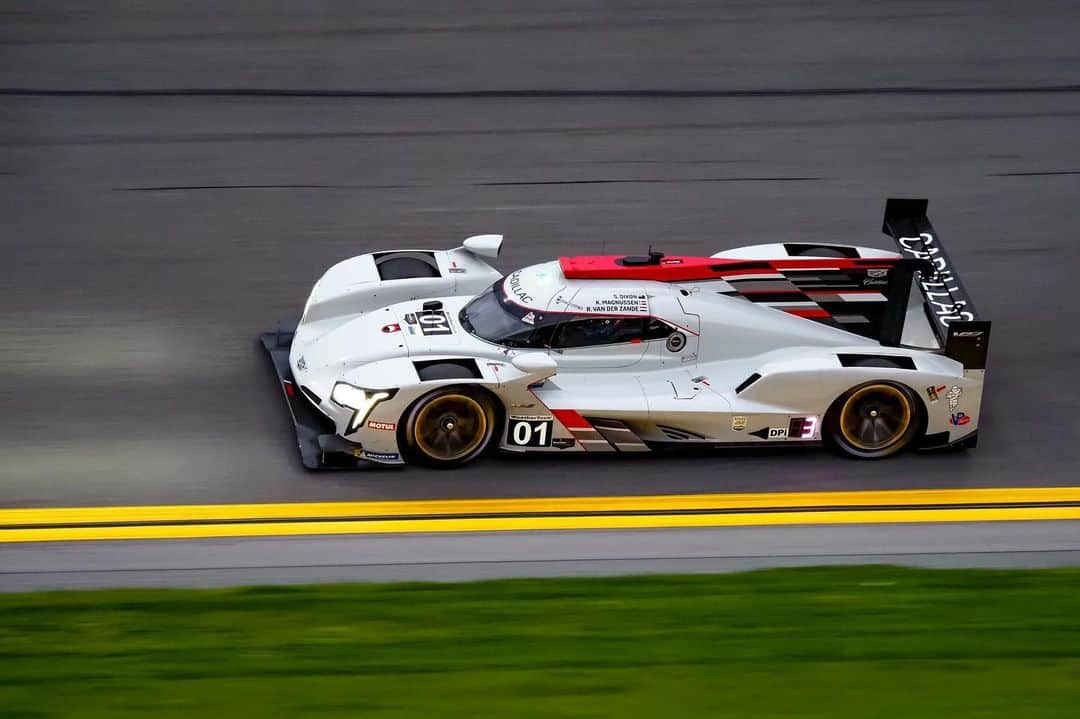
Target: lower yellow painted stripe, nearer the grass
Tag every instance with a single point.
(532, 524)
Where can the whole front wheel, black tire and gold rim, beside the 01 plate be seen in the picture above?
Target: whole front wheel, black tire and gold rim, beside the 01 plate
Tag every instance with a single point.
(450, 427)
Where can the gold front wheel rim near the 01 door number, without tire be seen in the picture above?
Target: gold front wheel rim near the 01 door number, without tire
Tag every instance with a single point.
(451, 427)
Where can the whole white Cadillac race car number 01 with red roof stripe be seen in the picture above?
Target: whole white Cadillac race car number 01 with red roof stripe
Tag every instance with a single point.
(434, 357)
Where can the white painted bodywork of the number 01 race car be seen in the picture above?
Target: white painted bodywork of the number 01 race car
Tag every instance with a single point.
(624, 397)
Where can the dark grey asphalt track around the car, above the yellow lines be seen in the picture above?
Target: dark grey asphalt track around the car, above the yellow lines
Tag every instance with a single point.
(175, 177)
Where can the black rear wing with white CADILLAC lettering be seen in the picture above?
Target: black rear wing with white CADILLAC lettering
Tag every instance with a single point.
(949, 308)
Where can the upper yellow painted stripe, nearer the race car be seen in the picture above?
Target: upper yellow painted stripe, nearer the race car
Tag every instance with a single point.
(300, 511)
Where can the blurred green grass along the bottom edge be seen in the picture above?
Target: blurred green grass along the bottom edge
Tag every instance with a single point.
(871, 642)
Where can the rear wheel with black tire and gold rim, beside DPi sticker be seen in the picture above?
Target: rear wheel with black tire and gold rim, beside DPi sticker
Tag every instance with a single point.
(875, 420)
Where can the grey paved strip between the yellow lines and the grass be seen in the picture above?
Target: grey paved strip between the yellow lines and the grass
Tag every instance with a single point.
(469, 558)
